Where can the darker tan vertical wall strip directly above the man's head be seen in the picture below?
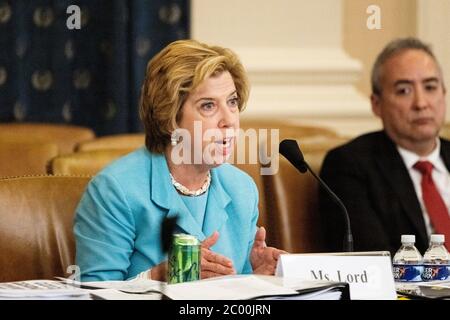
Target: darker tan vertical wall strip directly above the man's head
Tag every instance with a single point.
(398, 19)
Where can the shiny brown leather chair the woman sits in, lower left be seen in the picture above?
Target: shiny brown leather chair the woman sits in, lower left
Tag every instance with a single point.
(36, 220)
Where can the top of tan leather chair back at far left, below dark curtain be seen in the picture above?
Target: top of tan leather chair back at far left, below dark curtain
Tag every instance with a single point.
(64, 136)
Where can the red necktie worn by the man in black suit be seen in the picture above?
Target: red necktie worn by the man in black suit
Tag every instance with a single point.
(436, 208)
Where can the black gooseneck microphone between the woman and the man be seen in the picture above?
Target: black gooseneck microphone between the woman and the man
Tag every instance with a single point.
(291, 151)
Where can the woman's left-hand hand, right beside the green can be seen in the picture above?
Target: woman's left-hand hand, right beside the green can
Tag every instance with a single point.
(213, 264)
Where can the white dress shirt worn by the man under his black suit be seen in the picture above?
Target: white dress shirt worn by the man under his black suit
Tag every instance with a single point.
(440, 174)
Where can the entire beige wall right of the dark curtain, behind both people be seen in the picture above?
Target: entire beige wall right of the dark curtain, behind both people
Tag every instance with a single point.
(311, 60)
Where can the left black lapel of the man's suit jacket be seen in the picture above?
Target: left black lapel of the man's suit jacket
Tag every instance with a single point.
(391, 165)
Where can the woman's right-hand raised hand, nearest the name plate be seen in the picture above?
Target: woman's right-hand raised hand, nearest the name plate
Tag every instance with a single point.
(264, 259)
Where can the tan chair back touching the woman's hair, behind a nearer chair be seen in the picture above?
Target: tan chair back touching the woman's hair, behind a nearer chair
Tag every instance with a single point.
(118, 141)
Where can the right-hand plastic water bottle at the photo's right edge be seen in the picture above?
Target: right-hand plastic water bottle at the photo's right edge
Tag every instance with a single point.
(436, 259)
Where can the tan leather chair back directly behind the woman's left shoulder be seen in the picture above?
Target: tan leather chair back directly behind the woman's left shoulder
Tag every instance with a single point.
(85, 163)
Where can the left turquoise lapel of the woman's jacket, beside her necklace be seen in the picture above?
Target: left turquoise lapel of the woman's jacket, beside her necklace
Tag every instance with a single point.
(165, 196)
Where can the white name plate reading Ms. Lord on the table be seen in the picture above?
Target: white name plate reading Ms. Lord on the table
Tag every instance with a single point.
(369, 277)
